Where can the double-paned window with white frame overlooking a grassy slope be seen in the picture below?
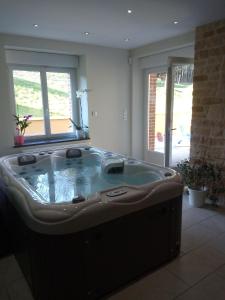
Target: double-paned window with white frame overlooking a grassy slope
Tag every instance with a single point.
(46, 94)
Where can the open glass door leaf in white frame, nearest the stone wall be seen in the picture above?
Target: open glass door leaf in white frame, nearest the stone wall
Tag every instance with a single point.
(179, 110)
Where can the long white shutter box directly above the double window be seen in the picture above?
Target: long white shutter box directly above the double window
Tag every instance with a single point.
(19, 57)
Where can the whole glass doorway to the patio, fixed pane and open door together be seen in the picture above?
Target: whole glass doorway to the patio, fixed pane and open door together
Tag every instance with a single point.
(168, 112)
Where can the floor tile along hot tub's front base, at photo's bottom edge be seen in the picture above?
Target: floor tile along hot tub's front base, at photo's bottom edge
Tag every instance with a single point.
(160, 285)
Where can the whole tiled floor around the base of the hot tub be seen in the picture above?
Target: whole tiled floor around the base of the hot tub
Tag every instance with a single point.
(197, 274)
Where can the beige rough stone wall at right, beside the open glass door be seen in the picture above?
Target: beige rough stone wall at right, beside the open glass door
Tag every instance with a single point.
(208, 113)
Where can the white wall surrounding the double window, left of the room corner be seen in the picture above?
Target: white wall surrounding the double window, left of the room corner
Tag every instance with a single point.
(107, 73)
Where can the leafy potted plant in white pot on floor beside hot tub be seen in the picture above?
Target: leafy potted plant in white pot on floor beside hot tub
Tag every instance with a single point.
(196, 175)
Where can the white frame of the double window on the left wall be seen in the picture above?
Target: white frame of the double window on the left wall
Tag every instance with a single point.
(48, 136)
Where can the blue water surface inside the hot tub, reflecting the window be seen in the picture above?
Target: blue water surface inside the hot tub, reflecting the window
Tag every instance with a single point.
(60, 180)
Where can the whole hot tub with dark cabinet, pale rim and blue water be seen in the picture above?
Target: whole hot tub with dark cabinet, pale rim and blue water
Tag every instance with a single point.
(85, 221)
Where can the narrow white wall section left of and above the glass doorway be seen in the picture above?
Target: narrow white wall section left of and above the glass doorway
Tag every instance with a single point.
(147, 57)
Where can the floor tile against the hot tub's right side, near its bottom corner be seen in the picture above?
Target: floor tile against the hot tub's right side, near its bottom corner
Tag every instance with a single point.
(194, 237)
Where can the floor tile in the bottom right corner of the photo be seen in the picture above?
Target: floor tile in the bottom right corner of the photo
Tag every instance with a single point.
(210, 288)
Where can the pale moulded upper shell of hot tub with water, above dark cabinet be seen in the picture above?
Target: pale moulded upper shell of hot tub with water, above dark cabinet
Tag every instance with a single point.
(45, 191)
